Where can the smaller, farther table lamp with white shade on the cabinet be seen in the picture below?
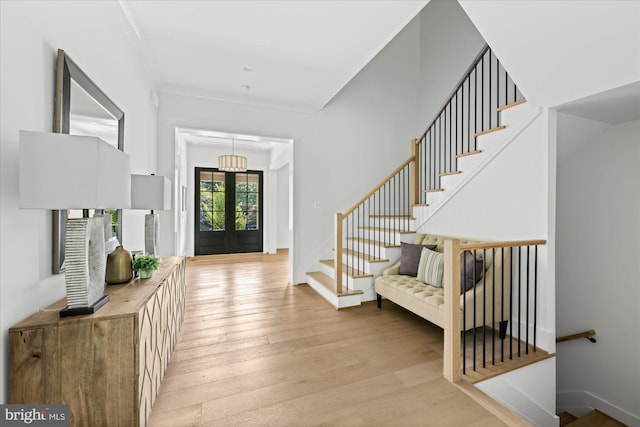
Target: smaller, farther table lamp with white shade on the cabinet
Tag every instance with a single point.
(152, 192)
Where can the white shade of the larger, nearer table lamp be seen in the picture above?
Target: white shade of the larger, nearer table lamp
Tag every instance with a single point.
(60, 171)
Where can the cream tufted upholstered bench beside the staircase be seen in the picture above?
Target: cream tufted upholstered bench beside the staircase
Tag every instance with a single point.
(427, 301)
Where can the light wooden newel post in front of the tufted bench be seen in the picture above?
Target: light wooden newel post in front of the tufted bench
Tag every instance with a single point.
(452, 369)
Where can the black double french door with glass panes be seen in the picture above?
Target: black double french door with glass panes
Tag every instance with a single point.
(228, 212)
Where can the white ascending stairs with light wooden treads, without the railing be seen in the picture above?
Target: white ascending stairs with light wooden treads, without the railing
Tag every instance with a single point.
(372, 251)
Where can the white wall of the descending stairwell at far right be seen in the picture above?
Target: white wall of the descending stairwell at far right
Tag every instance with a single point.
(598, 242)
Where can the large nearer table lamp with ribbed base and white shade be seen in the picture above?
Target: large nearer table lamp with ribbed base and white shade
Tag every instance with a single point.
(60, 171)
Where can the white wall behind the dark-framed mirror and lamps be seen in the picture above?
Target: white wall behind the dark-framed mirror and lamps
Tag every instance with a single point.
(94, 36)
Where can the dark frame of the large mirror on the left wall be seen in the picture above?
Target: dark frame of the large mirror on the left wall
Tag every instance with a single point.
(66, 72)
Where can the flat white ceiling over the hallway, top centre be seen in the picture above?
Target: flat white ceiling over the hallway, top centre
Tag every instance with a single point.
(295, 54)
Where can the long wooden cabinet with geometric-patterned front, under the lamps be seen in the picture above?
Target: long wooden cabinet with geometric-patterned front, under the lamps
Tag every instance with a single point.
(108, 365)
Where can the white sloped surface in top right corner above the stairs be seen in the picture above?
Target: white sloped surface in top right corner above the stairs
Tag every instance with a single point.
(562, 50)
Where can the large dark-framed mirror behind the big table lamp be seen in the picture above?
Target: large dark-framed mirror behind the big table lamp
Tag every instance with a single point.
(81, 108)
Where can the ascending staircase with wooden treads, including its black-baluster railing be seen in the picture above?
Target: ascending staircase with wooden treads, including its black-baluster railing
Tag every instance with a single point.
(483, 114)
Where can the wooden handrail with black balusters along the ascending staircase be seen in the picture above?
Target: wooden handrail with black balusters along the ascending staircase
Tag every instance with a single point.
(472, 109)
